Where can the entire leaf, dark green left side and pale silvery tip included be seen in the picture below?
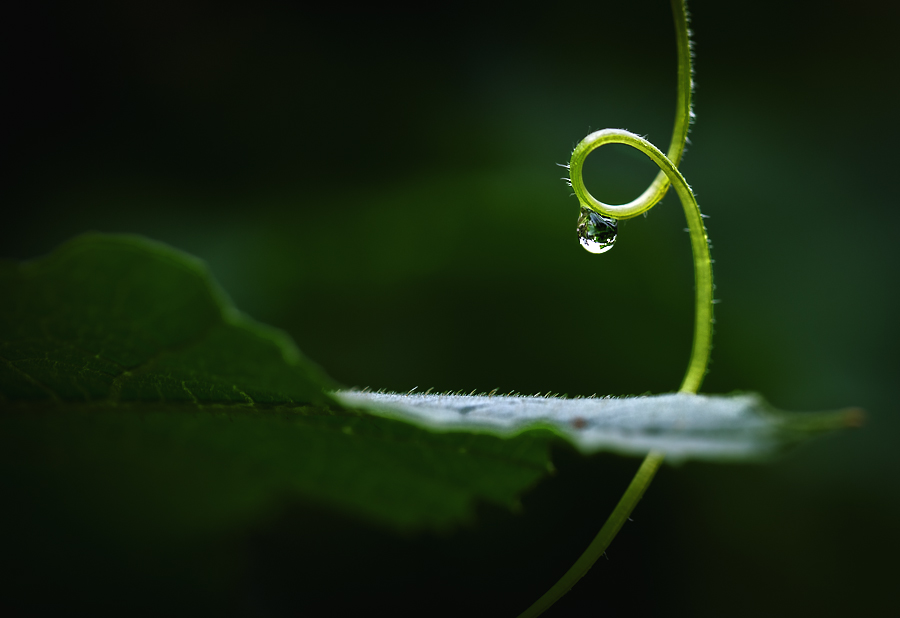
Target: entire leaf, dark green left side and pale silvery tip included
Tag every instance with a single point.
(130, 380)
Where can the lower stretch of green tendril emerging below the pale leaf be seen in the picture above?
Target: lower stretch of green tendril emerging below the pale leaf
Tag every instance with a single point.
(607, 533)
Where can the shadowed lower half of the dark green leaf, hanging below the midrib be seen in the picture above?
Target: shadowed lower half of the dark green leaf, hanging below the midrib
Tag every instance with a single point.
(222, 465)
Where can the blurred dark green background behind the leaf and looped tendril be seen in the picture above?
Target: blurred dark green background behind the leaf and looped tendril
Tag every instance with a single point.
(383, 186)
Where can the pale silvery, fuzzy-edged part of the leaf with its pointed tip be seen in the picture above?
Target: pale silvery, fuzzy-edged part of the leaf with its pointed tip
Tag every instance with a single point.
(681, 425)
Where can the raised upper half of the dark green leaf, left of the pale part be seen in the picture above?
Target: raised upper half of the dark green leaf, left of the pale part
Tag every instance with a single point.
(122, 318)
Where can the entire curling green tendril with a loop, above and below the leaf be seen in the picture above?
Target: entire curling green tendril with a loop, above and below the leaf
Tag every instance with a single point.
(703, 300)
